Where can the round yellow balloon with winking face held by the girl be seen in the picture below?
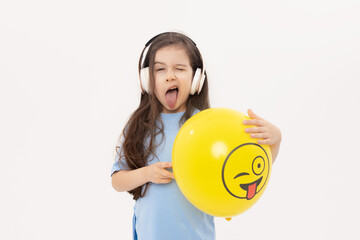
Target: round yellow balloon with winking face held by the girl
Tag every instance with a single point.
(218, 167)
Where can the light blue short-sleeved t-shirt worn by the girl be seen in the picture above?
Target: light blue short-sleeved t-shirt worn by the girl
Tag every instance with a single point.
(164, 213)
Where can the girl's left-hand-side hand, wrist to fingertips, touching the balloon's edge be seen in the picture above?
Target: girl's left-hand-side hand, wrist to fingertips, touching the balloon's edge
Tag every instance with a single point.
(156, 173)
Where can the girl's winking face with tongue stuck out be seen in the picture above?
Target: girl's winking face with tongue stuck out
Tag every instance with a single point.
(173, 77)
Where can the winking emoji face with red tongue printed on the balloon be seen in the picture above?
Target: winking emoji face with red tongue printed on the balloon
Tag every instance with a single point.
(245, 171)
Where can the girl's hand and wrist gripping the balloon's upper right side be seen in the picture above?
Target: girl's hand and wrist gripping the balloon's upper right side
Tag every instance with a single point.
(266, 132)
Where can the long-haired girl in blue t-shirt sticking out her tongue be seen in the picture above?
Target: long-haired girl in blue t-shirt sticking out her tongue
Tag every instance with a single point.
(174, 87)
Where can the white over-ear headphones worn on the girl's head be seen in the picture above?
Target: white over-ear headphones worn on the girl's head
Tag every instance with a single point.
(197, 83)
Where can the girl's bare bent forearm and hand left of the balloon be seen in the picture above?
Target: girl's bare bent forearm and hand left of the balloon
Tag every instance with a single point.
(126, 180)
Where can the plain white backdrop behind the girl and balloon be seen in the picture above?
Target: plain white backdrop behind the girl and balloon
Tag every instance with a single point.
(69, 82)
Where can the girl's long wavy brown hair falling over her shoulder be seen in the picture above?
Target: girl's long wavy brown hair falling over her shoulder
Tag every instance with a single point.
(142, 124)
